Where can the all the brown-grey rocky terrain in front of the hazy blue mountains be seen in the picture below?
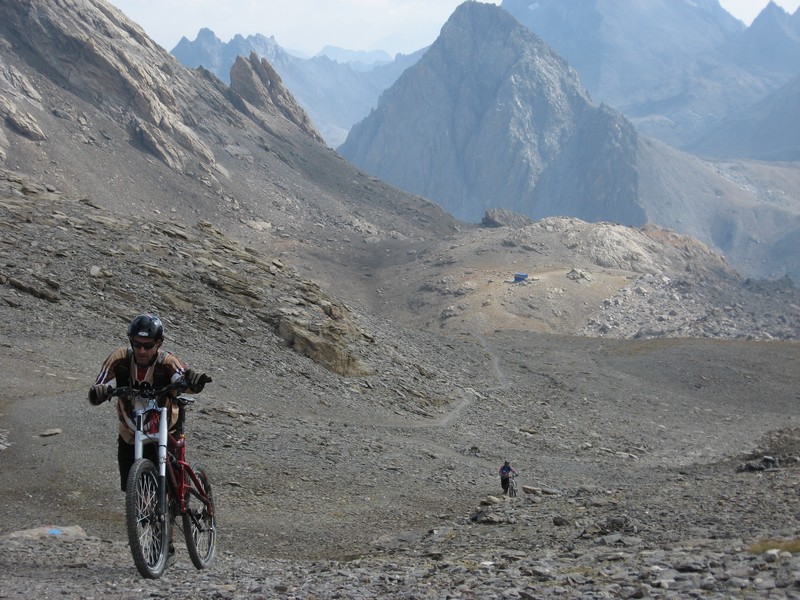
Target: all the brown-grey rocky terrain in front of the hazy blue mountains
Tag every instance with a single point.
(374, 358)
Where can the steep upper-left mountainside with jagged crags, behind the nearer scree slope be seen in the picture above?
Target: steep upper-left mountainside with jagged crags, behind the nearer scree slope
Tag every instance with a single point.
(98, 110)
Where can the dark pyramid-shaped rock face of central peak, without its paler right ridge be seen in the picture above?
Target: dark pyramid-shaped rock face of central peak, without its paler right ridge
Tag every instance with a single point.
(486, 112)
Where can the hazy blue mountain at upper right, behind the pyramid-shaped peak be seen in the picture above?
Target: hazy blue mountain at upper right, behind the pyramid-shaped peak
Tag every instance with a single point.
(674, 68)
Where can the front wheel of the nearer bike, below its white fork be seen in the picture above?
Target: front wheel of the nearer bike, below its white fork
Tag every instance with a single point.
(148, 532)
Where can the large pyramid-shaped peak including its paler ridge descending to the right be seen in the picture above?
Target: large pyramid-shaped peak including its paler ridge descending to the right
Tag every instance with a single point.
(491, 117)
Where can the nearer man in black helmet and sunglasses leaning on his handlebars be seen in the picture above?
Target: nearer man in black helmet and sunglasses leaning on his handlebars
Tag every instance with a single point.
(142, 365)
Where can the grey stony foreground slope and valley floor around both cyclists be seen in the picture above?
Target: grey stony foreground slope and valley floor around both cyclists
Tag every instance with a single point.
(643, 461)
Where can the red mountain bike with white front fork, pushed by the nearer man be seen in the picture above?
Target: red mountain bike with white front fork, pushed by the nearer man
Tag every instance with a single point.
(157, 494)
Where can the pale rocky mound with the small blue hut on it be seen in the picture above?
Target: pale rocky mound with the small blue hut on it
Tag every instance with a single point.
(596, 279)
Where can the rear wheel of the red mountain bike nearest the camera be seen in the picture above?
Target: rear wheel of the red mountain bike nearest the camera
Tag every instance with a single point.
(199, 521)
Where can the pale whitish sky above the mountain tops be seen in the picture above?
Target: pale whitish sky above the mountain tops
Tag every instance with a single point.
(308, 25)
